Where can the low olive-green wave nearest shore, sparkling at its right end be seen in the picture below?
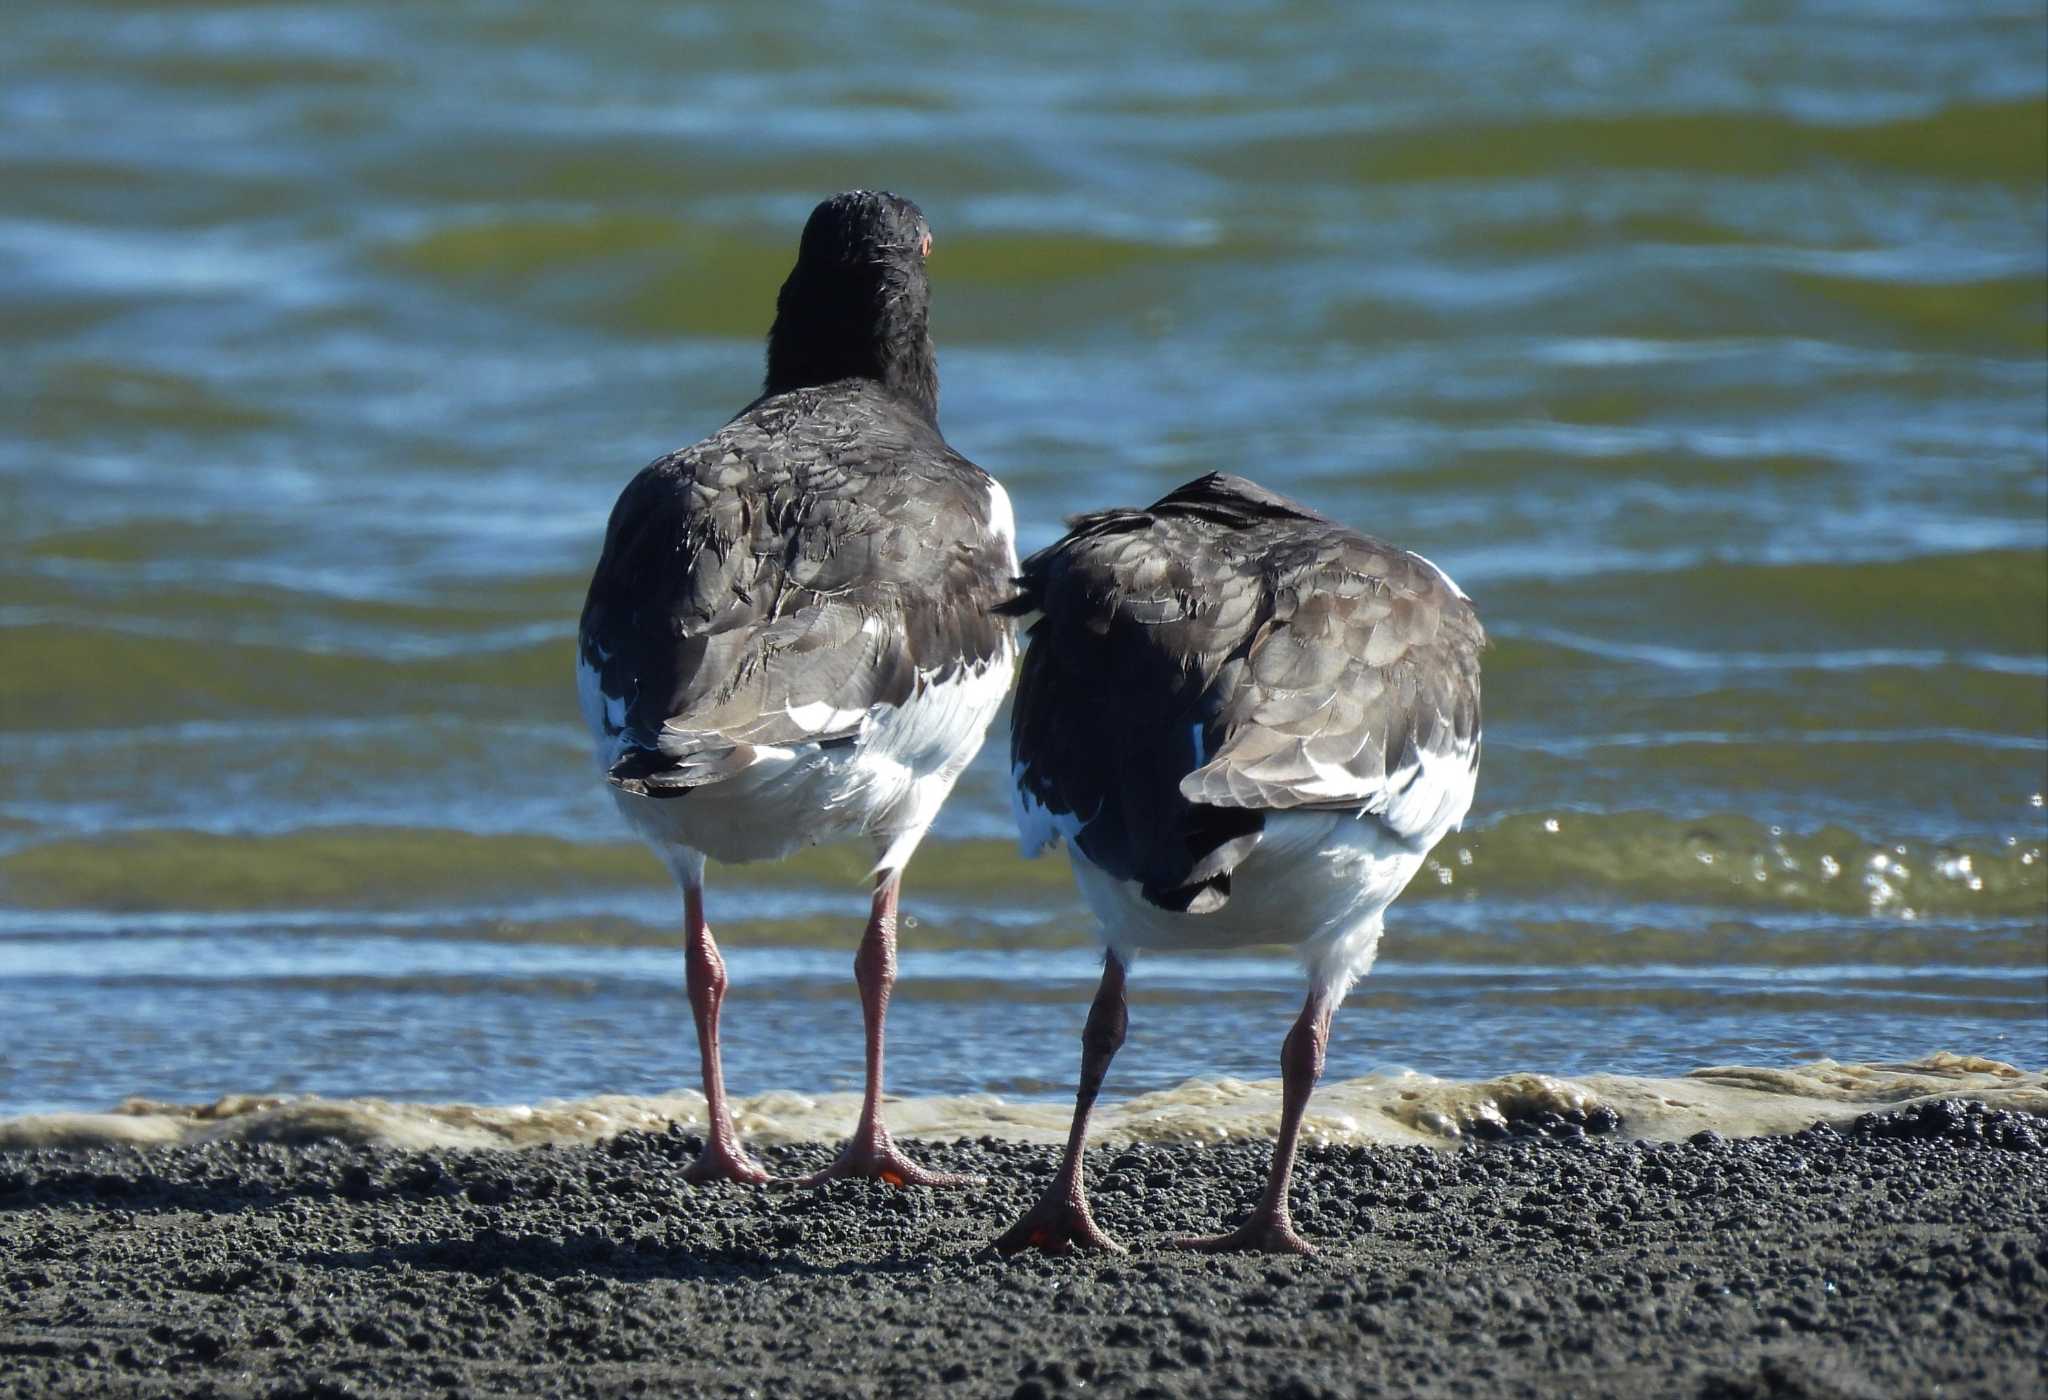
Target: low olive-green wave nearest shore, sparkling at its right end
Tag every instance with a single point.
(1639, 857)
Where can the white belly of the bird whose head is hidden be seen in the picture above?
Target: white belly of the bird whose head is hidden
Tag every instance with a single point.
(1318, 881)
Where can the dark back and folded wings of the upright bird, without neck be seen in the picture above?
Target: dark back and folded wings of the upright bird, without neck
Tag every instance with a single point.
(744, 609)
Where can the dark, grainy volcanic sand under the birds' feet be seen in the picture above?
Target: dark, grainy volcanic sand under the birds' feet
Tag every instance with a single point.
(1904, 1258)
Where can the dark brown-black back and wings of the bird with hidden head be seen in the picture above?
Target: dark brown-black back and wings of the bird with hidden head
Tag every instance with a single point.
(1230, 654)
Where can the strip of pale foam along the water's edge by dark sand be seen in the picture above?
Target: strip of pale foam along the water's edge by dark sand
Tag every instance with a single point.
(1394, 1108)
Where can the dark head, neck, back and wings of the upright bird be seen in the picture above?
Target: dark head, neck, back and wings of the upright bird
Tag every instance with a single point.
(822, 554)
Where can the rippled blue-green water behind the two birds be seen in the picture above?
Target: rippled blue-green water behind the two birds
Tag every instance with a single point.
(1709, 357)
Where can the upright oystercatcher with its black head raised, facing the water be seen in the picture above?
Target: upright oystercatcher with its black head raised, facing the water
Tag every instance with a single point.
(792, 638)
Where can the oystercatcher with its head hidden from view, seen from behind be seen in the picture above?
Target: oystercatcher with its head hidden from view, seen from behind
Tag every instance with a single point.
(1248, 726)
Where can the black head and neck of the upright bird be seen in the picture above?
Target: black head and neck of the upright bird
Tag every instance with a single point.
(857, 304)
